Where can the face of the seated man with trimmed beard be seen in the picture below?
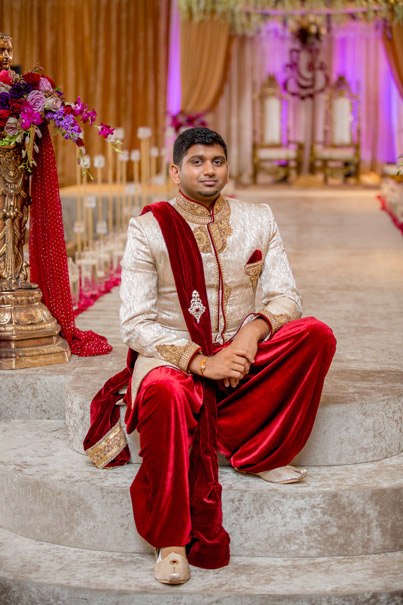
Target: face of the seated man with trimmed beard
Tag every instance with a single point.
(203, 172)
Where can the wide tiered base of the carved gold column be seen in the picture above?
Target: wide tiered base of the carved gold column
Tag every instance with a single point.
(29, 334)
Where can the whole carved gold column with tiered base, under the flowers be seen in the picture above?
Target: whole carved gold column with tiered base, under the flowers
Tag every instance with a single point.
(29, 335)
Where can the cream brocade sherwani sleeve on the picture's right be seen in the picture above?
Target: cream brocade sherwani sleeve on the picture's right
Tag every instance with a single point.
(281, 300)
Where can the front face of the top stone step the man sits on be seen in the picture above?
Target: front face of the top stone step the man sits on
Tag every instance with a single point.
(359, 420)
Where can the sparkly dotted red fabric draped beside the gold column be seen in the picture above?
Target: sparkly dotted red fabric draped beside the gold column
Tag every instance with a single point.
(47, 252)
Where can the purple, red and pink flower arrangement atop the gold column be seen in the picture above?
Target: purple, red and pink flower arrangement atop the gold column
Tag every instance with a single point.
(31, 99)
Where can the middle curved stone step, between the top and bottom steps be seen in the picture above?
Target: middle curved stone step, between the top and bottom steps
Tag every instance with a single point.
(53, 494)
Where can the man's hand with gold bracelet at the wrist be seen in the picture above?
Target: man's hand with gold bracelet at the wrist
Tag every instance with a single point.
(229, 365)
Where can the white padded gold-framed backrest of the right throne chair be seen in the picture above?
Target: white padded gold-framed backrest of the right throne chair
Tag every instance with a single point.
(342, 113)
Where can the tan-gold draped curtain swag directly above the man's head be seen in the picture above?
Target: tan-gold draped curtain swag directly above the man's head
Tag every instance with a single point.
(206, 48)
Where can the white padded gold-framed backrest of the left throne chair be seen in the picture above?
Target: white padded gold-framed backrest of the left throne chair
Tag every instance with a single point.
(271, 99)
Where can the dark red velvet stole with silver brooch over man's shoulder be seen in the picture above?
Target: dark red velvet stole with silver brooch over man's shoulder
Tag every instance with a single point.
(209, 547)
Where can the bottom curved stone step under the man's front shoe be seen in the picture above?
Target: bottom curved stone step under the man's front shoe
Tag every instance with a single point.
(35, 572)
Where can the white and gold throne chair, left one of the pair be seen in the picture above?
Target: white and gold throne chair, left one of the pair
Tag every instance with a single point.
(271, 155)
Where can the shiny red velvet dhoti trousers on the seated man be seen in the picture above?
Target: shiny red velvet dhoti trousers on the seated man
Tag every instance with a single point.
(262, 424)
